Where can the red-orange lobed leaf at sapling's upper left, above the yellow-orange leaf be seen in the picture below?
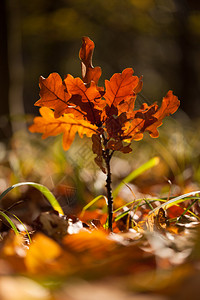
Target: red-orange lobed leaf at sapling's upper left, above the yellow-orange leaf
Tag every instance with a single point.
(53, 94)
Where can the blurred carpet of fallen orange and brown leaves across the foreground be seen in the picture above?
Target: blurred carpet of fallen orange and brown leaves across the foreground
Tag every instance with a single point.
(147, 257)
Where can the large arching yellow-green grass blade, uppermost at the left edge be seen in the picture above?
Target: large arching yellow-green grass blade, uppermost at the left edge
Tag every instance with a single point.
(44, 190)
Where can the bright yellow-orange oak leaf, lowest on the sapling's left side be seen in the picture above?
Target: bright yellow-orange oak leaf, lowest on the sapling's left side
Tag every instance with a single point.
(67, 124)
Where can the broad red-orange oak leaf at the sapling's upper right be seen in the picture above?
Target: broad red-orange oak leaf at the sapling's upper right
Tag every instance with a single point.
(120, 87)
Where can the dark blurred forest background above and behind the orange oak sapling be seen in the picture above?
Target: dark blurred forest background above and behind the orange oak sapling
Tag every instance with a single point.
(159, 39)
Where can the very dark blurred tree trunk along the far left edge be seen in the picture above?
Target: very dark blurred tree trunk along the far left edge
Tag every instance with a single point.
(5, 129)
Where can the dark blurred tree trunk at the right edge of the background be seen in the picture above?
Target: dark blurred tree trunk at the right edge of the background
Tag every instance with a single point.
(190, 90)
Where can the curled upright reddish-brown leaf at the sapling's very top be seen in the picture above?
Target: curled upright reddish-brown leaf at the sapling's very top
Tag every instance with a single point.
(89, 73)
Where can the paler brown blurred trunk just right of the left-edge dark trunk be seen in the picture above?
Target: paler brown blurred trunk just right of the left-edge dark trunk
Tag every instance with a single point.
(16, 68)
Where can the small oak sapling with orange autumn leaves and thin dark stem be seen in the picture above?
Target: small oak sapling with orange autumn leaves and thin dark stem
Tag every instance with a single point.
(107, 115)
